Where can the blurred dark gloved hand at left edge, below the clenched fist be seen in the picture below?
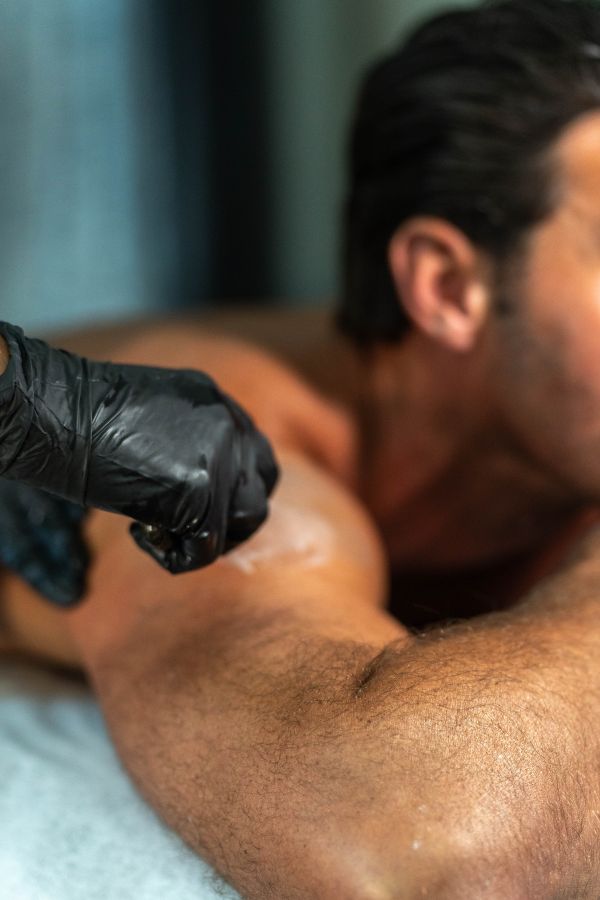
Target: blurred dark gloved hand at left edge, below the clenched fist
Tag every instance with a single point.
(41, 540)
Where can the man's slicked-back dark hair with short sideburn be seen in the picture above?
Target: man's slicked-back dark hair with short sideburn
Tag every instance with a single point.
(458, 123)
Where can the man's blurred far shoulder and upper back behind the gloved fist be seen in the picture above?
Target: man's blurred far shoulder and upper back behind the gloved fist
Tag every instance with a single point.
(277, 364)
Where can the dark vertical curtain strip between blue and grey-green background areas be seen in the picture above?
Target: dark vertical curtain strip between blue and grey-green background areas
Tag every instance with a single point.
(216, 70)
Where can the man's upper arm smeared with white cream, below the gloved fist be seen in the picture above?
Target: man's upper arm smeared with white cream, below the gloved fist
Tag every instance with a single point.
(318, 549)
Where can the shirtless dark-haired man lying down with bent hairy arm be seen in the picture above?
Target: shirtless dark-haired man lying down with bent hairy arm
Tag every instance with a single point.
(271, 707)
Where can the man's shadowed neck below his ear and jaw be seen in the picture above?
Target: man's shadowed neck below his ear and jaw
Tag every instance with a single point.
(442, 478)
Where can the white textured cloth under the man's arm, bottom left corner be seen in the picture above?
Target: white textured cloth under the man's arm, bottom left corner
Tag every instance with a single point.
(72, 826)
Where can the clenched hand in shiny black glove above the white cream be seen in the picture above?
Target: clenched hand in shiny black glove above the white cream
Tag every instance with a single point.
(164, 447)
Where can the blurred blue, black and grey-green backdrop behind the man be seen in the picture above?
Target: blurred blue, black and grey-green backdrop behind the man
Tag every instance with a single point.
(167, 155)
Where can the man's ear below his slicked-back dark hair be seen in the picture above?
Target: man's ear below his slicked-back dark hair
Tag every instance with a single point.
(437, 274)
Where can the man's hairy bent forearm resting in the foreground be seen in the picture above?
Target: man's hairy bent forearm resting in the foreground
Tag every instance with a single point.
(466, 760)
